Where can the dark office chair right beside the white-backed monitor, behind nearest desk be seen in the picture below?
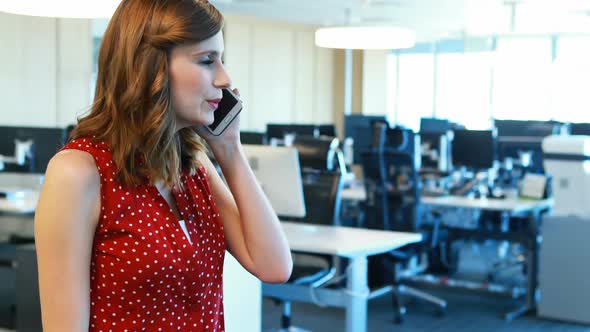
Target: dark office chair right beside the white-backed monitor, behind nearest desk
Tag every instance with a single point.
(322, 169)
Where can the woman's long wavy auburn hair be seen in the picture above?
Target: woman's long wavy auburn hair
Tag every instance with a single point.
(132, 110)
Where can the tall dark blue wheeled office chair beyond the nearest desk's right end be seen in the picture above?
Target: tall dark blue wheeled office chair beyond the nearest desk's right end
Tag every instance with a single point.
(393, 202)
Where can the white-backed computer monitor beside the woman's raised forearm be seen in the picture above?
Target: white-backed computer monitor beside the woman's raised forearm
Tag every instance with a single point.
(278, 172)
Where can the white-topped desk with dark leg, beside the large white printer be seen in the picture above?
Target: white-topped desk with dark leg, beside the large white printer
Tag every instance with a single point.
(530, 237)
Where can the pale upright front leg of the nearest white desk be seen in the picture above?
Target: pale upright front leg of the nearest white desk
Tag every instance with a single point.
(358, 294)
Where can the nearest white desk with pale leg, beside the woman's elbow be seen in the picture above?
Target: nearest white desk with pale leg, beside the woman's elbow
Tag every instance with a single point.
(352, 243)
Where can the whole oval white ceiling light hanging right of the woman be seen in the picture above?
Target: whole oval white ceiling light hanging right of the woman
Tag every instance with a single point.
(365, 37)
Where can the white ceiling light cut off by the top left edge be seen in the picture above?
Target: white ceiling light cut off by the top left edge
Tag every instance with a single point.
(61, 8)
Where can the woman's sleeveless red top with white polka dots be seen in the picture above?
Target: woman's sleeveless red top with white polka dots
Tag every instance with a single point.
(145, 273)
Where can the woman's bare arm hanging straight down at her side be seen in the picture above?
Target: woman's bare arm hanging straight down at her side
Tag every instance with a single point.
(65, 221)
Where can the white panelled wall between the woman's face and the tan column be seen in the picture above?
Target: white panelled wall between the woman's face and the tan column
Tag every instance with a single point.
(280, 73)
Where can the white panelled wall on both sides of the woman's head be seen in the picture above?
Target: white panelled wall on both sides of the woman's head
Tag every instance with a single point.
(46, 71)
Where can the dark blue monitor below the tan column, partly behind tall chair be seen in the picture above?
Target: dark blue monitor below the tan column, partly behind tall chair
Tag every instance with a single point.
(360, 129)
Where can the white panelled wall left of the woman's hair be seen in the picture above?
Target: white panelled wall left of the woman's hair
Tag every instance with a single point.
(45, 68)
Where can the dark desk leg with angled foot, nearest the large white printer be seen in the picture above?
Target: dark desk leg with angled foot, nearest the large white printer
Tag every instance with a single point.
(532, 262)
